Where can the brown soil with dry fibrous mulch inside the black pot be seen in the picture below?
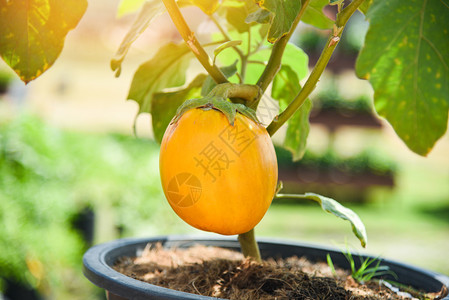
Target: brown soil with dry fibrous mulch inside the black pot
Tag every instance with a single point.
(222, 273)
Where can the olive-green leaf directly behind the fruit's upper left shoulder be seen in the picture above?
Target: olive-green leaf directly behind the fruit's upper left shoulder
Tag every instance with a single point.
(165, 105)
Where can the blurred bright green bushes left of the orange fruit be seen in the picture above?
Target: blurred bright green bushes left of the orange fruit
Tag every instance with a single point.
(47, 177)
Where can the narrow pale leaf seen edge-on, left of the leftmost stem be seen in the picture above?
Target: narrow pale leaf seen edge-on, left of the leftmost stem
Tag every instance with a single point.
(149, 11)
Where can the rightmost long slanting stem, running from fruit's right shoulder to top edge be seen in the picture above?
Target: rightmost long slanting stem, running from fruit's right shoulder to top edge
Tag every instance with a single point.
(309, 86)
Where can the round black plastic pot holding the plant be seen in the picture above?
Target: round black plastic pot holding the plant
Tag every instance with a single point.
(98, 260)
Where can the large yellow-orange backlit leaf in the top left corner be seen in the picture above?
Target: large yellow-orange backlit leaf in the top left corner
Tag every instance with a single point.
(32, 33)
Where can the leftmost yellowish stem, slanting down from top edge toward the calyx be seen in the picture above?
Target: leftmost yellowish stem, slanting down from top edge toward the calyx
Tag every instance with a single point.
(192, 42)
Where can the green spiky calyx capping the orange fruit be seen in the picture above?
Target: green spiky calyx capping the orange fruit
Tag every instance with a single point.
(229, 109)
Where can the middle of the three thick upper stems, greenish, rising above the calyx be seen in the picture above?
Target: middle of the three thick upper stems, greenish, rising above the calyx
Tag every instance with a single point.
(274, 62)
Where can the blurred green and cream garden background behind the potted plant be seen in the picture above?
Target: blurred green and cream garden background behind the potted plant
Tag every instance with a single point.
(72, 174)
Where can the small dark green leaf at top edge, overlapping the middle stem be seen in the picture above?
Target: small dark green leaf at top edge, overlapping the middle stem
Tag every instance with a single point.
(285, 12)
